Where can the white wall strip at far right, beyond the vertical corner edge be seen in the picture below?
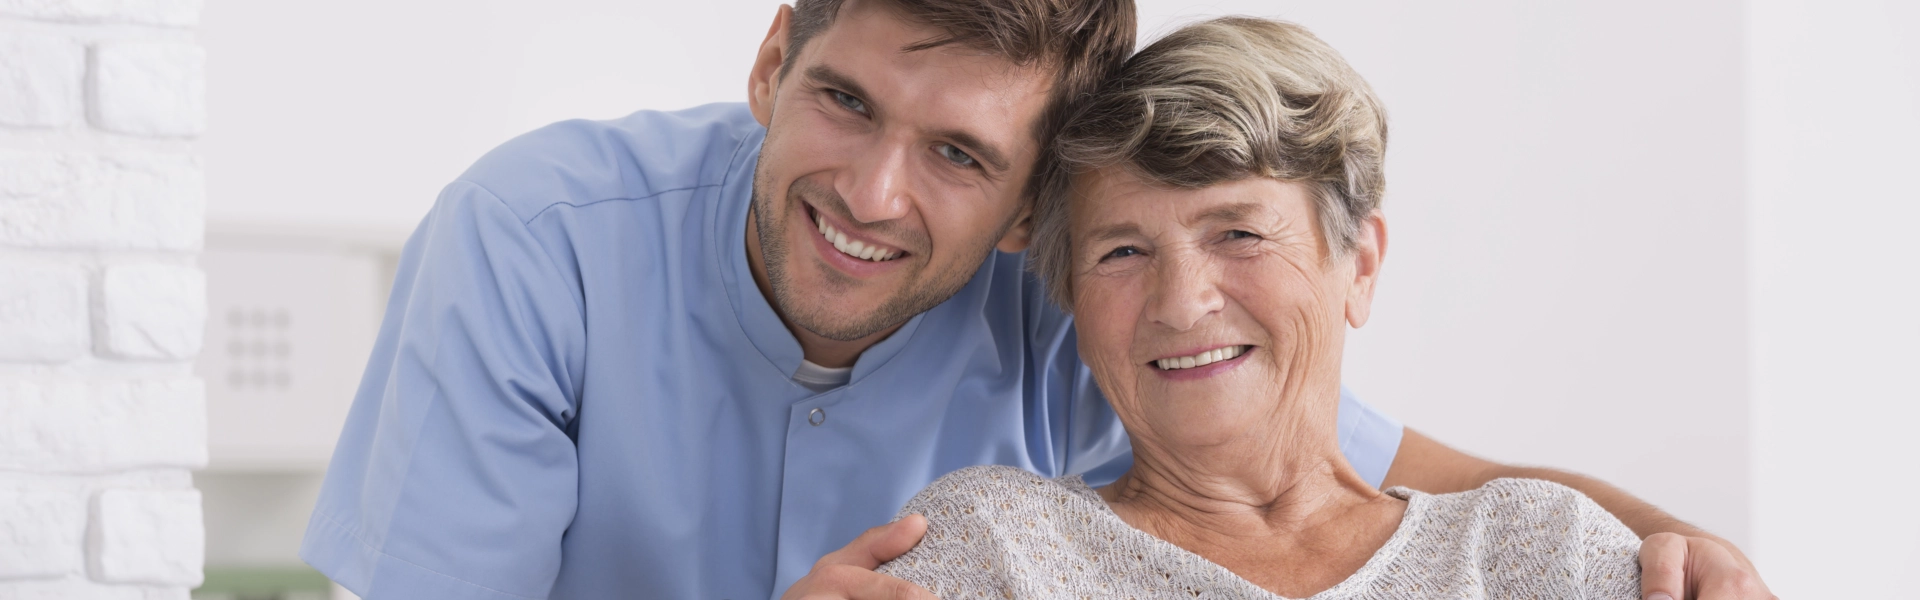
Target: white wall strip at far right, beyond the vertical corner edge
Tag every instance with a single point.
(1835, 114)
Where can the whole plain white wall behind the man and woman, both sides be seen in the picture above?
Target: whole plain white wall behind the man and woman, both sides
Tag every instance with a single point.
(1591, 266)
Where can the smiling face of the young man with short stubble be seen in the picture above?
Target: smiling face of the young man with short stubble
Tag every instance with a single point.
(888, 176)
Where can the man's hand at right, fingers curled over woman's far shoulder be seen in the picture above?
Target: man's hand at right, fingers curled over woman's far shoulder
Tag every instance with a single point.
(1694, 568)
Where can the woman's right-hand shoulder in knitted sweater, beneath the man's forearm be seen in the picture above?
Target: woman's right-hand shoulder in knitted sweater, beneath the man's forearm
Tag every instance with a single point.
(1529, 536)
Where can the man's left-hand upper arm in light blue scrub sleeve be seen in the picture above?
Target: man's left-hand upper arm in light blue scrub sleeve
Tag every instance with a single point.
(454, 476)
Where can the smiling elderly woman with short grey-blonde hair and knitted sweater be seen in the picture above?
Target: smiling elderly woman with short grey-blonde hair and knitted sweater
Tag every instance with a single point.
(1214, 230)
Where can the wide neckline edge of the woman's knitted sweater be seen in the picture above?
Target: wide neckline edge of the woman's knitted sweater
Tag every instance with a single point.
(1410, 522)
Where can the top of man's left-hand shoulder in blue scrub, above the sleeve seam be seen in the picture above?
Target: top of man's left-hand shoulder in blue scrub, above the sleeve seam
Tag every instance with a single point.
(631, 159)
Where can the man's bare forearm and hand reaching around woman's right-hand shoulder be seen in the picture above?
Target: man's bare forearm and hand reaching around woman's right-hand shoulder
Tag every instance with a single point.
(1677, 559)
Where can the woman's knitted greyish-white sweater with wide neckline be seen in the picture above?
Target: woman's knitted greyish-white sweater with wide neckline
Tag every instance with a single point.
(1005, 534)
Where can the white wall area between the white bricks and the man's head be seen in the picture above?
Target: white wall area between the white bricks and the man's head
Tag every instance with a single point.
(358, 112)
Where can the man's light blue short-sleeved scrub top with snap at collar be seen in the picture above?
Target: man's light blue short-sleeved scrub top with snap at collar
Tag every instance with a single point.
(581, 393)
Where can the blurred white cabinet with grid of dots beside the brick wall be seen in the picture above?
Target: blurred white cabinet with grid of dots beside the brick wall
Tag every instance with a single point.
(291, 322)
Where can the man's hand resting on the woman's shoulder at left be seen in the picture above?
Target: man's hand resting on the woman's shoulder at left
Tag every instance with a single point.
(848, 574)
